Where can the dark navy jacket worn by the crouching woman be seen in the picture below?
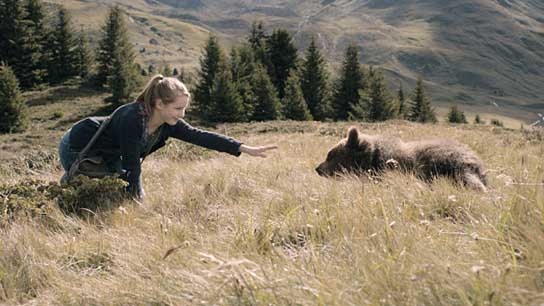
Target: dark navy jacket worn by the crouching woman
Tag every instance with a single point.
(126, 137)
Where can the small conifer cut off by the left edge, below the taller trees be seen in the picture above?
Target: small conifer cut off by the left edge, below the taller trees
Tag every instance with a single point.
(12, 106)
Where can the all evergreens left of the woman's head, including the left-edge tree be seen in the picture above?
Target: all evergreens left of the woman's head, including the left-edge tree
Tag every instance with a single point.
(35, 53)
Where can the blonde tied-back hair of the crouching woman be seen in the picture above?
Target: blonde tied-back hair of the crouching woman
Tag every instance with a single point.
(167, 89)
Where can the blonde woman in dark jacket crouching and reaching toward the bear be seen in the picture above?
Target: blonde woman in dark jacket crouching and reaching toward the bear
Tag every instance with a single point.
(139, 128)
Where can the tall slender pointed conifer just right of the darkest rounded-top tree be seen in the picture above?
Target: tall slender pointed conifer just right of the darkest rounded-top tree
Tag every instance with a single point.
(314, 81)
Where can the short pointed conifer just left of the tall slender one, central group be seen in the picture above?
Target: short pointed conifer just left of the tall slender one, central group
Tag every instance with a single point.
(294, 105)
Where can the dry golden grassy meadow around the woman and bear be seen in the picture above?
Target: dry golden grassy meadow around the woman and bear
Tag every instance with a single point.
(220, 230)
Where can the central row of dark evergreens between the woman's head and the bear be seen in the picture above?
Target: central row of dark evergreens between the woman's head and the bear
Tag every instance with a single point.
(264, 79)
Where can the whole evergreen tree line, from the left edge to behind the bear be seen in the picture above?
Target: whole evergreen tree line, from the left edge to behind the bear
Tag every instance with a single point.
(263, 79)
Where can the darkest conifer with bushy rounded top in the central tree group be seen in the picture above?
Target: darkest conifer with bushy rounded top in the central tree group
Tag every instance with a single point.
(282, 54)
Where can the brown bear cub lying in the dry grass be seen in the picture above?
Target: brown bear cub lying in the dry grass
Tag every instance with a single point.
(427, 159)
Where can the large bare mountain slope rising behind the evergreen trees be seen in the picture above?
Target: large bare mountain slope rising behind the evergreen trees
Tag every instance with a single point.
(486, 55)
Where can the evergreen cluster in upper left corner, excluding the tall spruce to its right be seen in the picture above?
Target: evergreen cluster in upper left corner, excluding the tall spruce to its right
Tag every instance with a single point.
(40, 52)
